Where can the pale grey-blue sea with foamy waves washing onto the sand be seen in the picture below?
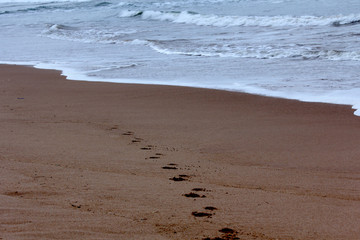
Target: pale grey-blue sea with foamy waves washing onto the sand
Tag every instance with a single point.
(299, 49)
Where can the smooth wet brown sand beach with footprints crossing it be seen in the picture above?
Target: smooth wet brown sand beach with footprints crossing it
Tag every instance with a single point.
(86, 160)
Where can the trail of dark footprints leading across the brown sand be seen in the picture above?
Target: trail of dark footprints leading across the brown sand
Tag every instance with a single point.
(226, 233)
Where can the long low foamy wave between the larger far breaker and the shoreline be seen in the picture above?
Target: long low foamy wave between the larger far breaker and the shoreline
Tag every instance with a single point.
(192, 48)
